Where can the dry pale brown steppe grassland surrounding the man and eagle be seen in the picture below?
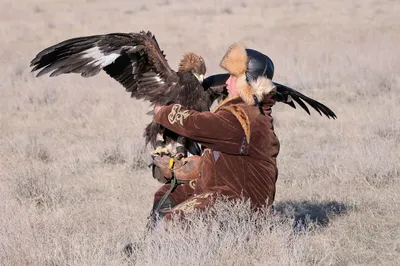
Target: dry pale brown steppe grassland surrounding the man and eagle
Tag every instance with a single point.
(74, 183)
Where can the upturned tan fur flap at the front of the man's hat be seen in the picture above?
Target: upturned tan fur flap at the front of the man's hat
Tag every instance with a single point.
(235, 60)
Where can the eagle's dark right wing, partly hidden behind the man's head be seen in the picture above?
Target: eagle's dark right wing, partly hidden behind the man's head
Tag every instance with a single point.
(283, 94)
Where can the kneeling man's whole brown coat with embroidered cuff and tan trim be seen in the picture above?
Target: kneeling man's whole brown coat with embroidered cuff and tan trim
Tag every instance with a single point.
(240, 159)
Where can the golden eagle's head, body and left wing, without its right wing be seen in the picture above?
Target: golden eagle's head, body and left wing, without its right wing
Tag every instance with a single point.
(136, 61)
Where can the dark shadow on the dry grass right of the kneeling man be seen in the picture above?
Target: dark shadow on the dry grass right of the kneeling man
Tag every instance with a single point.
(307, 213)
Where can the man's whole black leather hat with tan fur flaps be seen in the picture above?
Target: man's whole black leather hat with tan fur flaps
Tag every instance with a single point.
(254, 72)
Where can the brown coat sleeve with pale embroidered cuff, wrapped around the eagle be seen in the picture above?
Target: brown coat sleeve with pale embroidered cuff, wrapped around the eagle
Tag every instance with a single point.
(221, 131)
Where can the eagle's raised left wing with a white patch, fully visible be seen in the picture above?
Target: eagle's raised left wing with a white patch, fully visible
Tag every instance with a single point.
(135, 60)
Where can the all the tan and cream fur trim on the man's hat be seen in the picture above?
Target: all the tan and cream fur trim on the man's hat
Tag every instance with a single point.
(235, 62)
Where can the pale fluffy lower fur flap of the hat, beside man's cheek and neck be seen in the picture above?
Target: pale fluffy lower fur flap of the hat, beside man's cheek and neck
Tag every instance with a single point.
(259, 88)
